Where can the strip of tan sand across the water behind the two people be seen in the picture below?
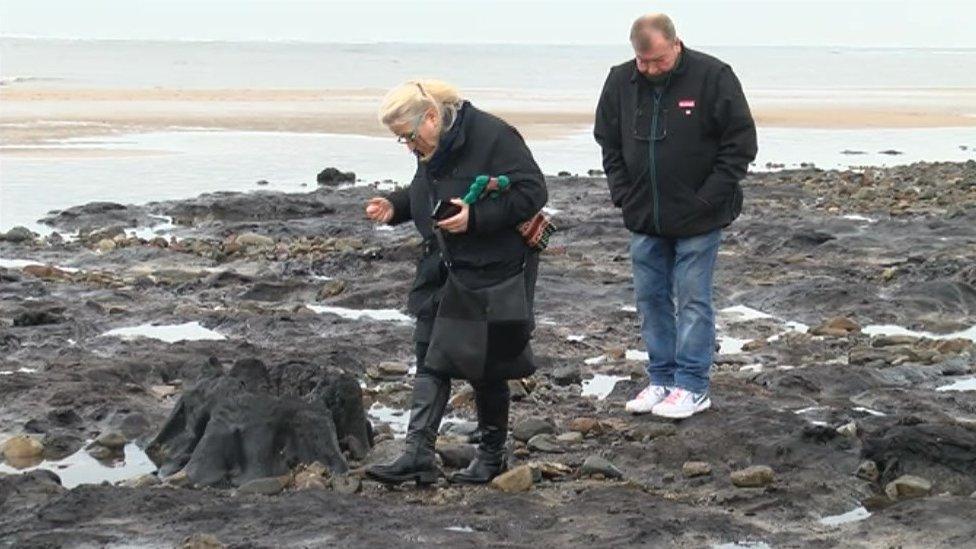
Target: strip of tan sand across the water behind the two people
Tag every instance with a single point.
(37, 115)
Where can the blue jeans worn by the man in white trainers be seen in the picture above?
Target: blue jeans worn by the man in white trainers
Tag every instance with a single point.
(673, 287)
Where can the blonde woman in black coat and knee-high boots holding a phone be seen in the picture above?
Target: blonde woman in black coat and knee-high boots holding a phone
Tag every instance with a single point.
(455, 142)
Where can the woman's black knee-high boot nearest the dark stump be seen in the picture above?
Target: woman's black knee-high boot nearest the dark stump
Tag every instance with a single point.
(418, 462)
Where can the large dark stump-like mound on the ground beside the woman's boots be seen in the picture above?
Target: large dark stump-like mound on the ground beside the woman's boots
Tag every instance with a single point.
(247, 424)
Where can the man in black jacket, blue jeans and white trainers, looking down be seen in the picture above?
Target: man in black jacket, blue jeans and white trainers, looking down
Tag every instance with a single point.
(677, 137)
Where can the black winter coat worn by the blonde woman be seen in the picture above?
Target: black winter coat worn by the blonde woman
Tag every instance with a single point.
(492, 248)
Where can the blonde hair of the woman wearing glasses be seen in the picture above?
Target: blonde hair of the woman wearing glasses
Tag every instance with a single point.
(415, 97)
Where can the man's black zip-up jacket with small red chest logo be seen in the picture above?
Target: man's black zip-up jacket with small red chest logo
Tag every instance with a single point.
(674, 160)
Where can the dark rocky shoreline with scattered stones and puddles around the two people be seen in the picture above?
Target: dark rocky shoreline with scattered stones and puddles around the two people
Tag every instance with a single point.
(845, 409)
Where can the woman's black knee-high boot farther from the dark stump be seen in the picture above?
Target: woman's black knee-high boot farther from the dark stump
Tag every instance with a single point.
(491, 400)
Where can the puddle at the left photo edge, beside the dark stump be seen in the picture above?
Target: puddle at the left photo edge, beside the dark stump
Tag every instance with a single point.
(81, 468)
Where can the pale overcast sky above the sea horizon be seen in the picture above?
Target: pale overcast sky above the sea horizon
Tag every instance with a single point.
(886, 23)
